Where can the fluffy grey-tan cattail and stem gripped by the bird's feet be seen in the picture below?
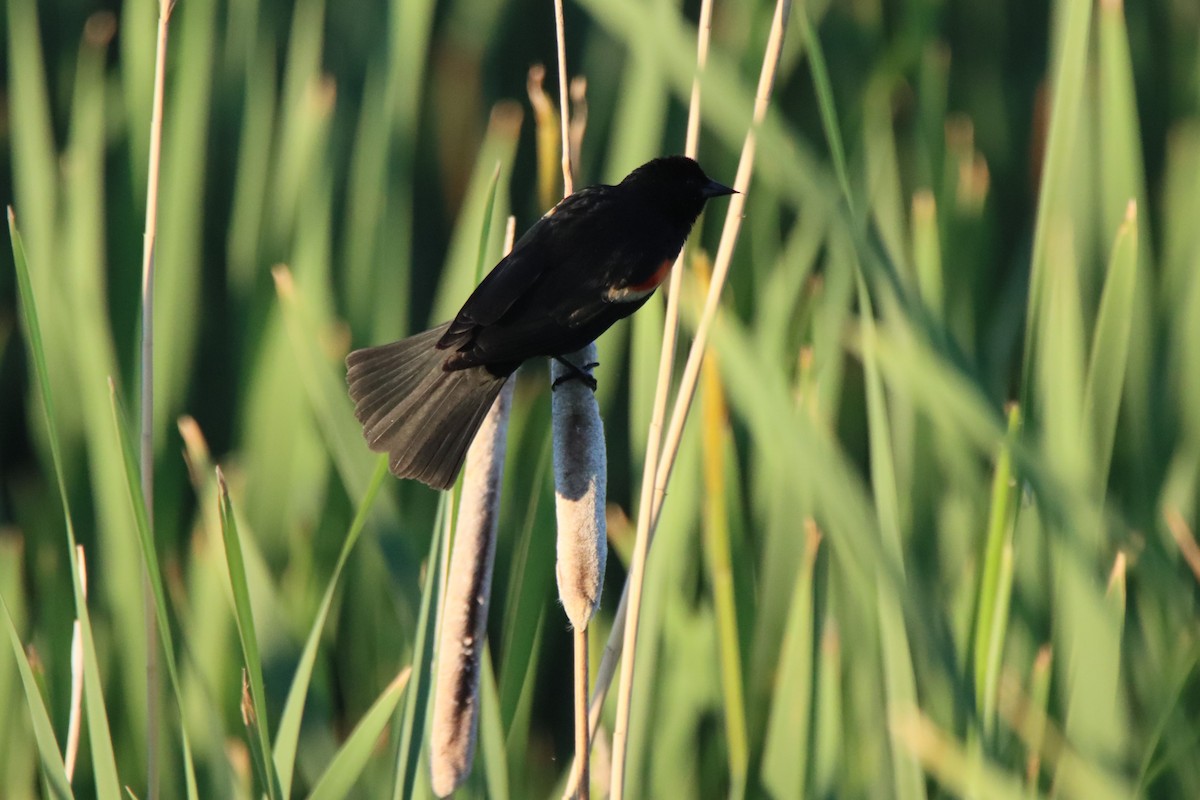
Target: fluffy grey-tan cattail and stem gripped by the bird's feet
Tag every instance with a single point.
(580, 467)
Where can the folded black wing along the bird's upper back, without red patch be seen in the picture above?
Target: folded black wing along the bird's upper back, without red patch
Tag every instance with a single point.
(536, 254)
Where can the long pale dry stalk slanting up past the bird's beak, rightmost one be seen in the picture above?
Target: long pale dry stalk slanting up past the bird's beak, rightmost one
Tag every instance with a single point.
(652, 502)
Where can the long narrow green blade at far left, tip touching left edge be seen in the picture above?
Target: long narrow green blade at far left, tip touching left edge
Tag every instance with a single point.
(99, 733)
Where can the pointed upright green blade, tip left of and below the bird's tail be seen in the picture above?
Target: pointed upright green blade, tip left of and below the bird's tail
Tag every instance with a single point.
(255, 706)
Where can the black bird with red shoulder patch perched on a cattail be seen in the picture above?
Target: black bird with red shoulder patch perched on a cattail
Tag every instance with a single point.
(595, 258)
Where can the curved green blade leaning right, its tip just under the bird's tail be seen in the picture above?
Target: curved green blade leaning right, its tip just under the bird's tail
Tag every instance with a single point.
(287, 738)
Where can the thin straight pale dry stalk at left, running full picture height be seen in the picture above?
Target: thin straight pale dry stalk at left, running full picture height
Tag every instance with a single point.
(147, 394)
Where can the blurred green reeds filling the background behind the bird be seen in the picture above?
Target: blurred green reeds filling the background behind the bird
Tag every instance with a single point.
(863, 586)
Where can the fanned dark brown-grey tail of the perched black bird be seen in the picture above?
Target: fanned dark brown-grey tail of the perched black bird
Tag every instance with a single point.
(417, 412)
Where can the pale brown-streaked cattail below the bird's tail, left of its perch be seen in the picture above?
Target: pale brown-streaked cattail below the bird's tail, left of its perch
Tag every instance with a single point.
(464, 630)
